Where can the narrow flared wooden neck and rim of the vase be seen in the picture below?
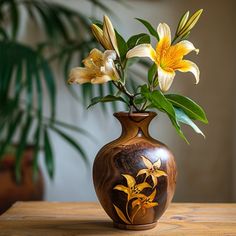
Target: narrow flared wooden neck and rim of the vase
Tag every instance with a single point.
(135, 124)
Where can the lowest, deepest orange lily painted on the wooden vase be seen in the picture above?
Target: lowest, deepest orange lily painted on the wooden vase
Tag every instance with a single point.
(143, 204)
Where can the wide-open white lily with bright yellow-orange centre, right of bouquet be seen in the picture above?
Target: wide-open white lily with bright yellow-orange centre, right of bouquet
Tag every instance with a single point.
(168, 58)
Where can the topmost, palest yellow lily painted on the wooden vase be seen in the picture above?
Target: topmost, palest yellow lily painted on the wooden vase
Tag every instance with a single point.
(152, 170)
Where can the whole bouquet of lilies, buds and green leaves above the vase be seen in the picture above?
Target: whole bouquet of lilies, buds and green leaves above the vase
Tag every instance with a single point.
(111, 66)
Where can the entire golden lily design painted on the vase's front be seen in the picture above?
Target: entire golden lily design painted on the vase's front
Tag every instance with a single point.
(134, 191)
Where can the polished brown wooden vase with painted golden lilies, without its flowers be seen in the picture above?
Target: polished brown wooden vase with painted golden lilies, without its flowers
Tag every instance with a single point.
(135, 175)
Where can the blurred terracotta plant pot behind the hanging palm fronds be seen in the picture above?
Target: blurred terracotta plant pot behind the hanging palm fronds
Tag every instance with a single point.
(27, 190)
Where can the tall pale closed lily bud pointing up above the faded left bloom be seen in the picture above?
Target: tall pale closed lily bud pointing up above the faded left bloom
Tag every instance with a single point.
(109, 32)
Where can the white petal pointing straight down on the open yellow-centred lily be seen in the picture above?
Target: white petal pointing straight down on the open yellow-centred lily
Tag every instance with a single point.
(165, 79)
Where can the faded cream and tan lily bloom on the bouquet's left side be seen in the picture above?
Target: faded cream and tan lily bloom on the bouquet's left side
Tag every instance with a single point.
(99, 68)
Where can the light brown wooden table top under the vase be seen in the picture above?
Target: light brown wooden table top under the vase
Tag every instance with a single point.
(67, 219)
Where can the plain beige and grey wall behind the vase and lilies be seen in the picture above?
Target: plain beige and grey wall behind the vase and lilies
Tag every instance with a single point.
(205, 167)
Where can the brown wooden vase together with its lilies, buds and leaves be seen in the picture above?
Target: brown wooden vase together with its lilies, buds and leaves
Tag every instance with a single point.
(135, 175)
